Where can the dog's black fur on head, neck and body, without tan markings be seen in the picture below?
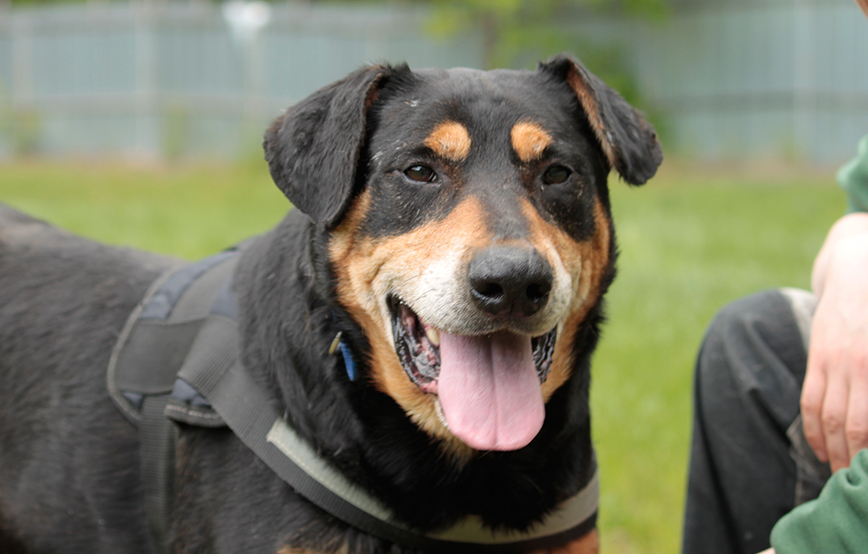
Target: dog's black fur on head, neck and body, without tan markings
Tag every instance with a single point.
(69, 479)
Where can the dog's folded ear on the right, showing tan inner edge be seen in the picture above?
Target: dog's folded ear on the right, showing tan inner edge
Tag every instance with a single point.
(628, 141)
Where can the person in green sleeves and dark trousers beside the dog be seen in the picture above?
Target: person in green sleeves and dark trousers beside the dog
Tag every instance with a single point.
(779, 454)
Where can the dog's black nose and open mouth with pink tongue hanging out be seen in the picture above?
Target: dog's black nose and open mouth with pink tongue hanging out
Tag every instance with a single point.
(488, 383)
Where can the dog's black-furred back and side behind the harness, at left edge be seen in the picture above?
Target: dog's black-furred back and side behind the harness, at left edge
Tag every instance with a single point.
(63, 301)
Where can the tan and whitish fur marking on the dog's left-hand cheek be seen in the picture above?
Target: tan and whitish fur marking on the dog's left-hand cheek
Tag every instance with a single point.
(363, 263)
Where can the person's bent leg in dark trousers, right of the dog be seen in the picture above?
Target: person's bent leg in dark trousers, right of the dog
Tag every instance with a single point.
(743, 468)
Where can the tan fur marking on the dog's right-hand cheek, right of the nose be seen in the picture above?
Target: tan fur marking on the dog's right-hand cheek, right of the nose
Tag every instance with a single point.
(586, 262)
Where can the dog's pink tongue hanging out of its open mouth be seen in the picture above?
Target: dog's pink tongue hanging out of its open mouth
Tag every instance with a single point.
(490, 390)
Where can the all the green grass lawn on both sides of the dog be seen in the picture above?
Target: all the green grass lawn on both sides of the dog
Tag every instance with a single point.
(690, 242)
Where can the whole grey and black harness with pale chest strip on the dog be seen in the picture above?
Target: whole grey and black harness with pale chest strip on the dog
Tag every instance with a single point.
(177, 360)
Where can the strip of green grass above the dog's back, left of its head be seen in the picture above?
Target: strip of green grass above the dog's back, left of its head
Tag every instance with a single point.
(186, 211)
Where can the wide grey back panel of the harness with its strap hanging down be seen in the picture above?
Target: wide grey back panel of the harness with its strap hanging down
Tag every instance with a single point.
(143, 369)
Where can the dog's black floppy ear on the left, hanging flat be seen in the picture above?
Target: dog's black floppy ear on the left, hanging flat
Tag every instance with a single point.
(313, 149)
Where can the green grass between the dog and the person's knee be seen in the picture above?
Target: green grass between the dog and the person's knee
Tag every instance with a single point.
(689, 244)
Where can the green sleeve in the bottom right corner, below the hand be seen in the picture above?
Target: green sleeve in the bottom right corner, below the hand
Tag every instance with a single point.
(834, 523)
